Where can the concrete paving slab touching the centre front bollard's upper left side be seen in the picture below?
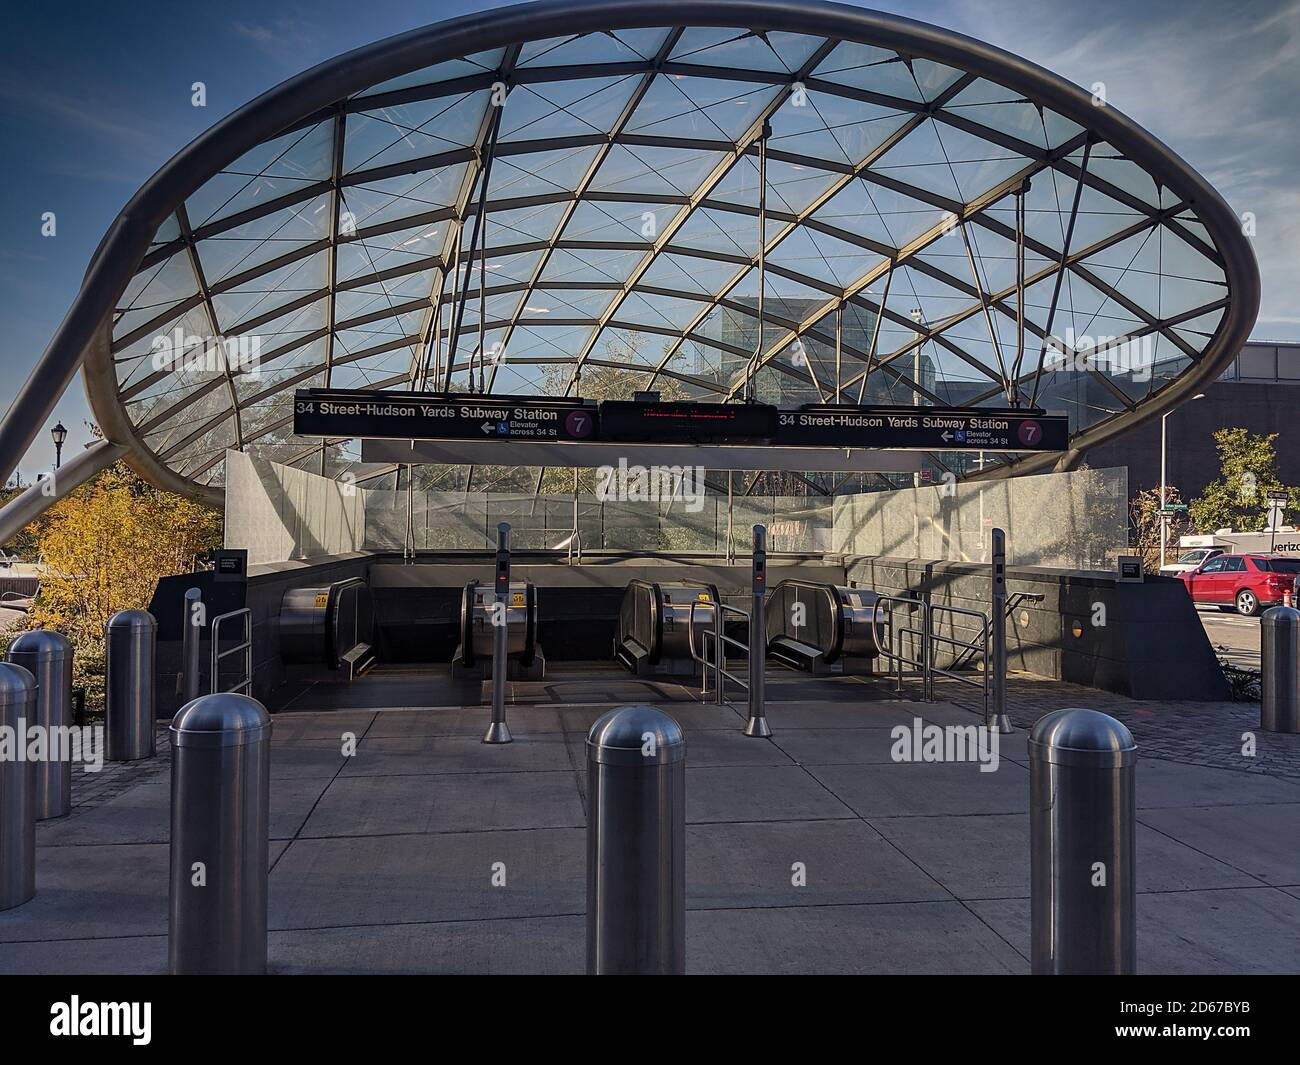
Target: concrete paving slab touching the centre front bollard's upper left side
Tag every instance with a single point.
(453, 803)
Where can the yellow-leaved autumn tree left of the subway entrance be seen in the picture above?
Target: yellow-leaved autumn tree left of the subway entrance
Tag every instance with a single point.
(106, 547)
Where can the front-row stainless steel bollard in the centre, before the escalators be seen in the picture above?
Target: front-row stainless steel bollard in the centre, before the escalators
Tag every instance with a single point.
(636, 845)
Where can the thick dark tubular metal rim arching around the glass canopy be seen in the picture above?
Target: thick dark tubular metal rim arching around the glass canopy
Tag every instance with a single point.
(311, 94)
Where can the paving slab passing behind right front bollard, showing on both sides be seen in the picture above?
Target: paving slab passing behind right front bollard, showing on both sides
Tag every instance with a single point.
(989, 858)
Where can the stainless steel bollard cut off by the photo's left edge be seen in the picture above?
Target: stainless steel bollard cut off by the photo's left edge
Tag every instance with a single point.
(18, 793)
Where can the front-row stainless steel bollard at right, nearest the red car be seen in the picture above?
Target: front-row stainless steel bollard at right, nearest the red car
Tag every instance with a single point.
(1084, 897)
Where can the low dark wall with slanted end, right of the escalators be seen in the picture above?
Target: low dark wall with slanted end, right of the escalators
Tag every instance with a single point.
(1151, 646)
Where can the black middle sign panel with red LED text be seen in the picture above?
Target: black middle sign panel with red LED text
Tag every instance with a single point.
(688, 423)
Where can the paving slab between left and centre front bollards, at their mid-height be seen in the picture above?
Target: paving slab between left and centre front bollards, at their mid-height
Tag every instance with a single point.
(411, 878)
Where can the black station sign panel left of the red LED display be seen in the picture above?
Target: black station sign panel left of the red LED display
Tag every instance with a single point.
(380, 415)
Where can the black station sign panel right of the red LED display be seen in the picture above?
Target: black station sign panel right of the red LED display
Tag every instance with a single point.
(925, 428)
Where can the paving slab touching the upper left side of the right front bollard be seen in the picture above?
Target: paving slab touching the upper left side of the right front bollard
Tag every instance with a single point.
(928, 789)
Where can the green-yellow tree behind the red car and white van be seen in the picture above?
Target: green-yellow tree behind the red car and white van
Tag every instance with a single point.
(1249, 475)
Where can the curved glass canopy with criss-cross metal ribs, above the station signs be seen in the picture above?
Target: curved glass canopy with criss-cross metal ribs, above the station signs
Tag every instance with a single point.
(582, 215)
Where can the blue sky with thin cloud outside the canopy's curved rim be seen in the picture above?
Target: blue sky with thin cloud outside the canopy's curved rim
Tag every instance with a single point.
(96, 97)
